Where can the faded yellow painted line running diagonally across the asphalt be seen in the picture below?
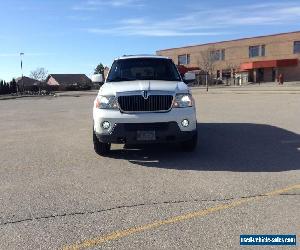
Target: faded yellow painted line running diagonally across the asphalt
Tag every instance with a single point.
(126, 232)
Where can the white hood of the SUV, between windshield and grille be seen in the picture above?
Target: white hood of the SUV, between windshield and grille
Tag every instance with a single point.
(112, 88)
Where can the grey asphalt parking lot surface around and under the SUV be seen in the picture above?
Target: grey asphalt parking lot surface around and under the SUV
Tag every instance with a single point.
(56, 192)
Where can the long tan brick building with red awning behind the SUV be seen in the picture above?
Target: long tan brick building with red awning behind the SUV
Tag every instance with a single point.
(256, 59)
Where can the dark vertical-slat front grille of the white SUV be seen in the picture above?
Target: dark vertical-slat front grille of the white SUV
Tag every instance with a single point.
(137, 103)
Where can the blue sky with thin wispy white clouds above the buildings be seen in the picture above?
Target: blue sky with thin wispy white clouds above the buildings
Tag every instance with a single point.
(73, 36)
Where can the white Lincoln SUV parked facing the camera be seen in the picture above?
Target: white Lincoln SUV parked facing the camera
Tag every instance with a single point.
(144, 100)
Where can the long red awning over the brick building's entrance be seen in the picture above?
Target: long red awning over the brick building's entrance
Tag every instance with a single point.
(269, 64)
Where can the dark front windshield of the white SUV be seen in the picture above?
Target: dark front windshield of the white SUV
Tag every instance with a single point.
(143, 69)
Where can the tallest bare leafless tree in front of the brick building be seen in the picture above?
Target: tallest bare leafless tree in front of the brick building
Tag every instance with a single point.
(207, 61)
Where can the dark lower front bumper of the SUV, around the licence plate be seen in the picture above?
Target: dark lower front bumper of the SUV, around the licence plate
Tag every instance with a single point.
(164, 132)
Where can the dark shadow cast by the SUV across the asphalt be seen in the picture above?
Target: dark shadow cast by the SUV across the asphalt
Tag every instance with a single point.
(241, 147)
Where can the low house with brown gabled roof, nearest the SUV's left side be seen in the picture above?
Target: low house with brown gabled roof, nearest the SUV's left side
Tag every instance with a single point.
(69, 81)
